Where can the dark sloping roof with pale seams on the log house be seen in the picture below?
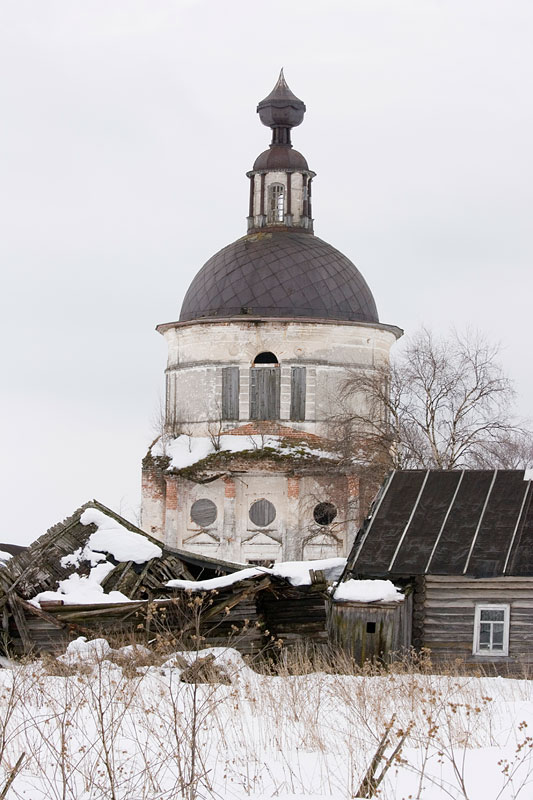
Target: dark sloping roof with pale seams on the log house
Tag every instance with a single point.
(465, 522)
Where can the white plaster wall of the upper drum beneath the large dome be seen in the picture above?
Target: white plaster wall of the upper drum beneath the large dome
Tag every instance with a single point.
(330, 351)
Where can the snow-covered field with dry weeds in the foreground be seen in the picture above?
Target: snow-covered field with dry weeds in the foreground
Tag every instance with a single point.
(107, 731)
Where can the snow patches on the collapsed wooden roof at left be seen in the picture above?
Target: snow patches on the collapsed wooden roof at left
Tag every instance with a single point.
(111, 538)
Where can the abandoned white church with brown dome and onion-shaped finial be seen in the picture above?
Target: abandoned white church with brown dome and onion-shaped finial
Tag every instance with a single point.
(247, 467)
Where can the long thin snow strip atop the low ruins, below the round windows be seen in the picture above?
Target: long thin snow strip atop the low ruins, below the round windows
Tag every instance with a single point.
(297, 573)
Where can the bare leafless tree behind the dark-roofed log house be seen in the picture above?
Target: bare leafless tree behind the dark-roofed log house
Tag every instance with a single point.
(443, 403)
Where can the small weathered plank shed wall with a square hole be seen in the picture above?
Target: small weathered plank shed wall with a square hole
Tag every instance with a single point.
(369, 631)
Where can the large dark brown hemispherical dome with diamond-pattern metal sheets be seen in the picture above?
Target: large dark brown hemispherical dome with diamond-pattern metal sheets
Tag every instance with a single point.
(280, 274)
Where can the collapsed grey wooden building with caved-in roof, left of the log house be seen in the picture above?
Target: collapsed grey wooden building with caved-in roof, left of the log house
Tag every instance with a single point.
(252, 615)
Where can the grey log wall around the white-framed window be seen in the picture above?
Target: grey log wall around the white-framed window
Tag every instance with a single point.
(444, 612)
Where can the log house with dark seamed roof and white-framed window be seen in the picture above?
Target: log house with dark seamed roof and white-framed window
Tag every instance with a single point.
(461, 543)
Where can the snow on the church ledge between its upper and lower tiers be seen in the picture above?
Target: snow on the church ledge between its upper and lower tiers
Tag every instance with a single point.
(185, 450)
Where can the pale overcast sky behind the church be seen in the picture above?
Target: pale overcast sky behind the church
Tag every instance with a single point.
(127, 128)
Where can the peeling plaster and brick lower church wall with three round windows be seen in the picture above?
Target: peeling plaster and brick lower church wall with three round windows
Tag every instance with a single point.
(292, 535)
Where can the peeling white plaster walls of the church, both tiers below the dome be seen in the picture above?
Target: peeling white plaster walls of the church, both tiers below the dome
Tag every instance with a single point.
(197, 353)
